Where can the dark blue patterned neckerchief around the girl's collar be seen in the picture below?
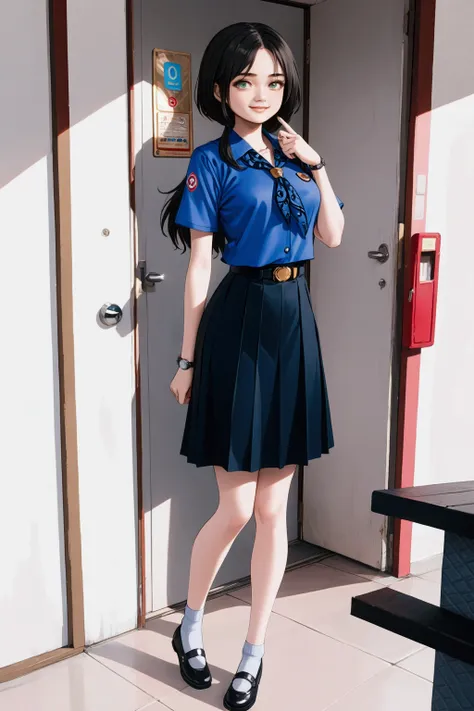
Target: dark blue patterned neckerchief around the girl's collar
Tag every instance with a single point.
(284, 193)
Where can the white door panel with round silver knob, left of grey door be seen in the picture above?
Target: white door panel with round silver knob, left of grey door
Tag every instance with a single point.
(102, 271)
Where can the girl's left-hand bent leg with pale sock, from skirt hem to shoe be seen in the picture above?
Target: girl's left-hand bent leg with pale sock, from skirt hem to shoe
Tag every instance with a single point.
(213, 542)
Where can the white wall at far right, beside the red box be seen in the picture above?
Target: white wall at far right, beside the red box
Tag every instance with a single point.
(444, 449)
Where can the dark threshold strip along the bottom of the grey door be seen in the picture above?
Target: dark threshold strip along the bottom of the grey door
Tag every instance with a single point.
(300, 554)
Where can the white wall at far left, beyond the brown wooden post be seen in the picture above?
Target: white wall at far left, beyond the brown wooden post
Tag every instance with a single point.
(32, 579)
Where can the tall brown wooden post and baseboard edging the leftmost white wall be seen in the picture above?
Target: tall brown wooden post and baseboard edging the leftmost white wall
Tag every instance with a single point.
(60, 134)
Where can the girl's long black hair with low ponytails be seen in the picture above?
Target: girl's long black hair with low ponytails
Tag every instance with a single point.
(230, 53)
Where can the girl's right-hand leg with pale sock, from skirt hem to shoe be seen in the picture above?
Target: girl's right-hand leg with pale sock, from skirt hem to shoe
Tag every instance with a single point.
(269, 557)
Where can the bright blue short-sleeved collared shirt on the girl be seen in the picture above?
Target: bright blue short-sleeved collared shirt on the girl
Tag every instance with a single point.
(241, 204)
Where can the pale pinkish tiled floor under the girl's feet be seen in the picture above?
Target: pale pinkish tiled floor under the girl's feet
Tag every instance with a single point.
(316, 655)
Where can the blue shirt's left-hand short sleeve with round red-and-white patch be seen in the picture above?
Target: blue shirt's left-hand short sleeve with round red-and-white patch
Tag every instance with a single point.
(199, 206)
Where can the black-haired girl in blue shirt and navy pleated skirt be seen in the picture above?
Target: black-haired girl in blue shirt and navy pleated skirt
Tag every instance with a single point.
(250, 365)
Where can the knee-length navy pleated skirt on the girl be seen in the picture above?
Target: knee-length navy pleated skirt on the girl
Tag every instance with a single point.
(258, 395)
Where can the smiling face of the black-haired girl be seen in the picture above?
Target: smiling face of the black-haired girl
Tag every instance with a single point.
(256, 96)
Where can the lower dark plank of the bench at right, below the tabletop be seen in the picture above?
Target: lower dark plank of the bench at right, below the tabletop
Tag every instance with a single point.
(417, 620)
